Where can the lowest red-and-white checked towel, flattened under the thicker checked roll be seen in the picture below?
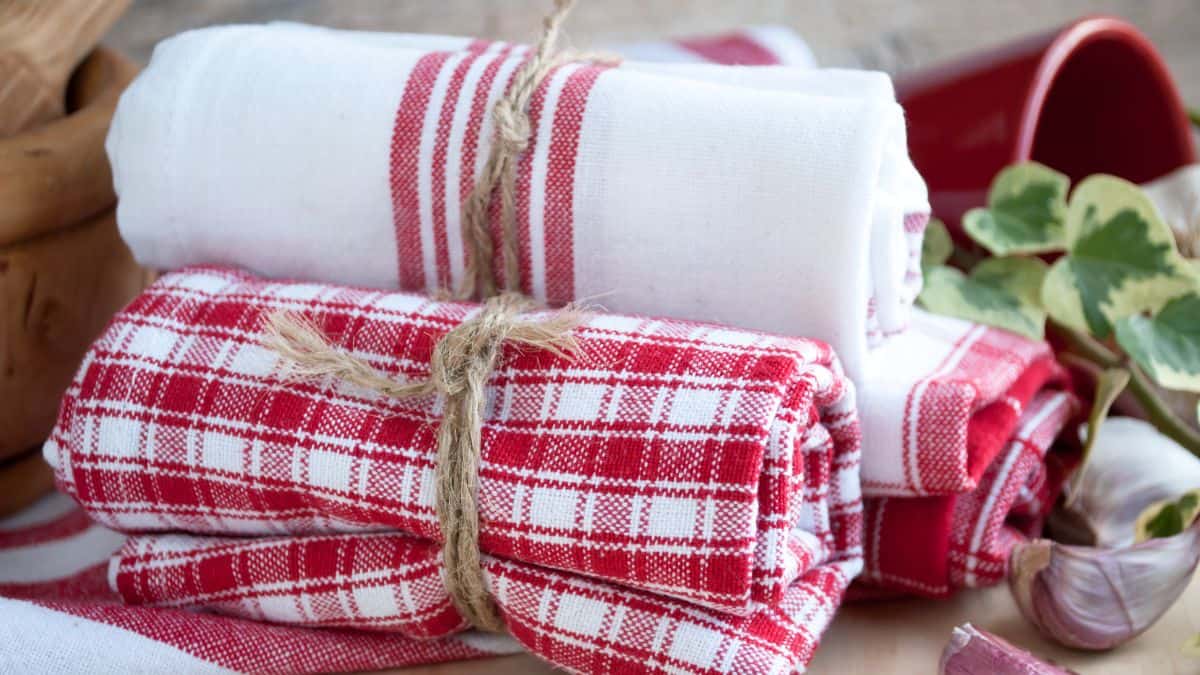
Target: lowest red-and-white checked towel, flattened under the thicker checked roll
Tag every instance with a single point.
(392, 583)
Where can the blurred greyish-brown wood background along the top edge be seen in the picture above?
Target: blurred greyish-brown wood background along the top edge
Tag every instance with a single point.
(892, 35)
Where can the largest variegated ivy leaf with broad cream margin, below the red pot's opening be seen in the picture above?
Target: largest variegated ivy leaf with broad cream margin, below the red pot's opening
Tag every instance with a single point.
(1121, 259)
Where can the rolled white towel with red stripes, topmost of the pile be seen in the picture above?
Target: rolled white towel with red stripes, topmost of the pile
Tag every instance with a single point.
(773, 199)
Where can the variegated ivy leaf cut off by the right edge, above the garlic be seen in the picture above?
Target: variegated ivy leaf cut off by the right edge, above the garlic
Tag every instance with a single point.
(1167, 345)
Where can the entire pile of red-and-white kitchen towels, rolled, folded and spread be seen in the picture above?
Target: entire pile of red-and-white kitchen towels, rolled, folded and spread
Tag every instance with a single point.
(764, 420)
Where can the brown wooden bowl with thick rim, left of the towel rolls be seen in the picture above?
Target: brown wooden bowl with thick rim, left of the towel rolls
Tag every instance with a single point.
(64, 268)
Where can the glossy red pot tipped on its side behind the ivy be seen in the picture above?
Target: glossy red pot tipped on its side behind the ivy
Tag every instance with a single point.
(1091, 98)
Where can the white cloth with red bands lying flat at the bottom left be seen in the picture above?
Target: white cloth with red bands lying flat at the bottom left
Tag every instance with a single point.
(62, 617)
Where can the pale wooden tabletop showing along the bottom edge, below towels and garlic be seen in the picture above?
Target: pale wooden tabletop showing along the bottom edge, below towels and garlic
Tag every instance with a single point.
(907, 637)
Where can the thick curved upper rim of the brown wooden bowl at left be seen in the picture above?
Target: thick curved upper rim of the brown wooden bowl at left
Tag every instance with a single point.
(57, 176)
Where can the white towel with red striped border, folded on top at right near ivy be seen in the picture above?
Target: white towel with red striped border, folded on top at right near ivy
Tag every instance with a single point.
(941, 402)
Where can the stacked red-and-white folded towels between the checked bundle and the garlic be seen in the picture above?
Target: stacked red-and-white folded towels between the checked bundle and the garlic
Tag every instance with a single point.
(958, 420)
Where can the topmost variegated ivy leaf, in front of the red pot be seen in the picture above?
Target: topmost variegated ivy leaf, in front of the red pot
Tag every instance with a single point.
(1027, 207)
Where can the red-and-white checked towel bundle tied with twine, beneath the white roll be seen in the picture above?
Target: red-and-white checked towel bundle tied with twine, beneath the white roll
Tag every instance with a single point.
(679, 498)
